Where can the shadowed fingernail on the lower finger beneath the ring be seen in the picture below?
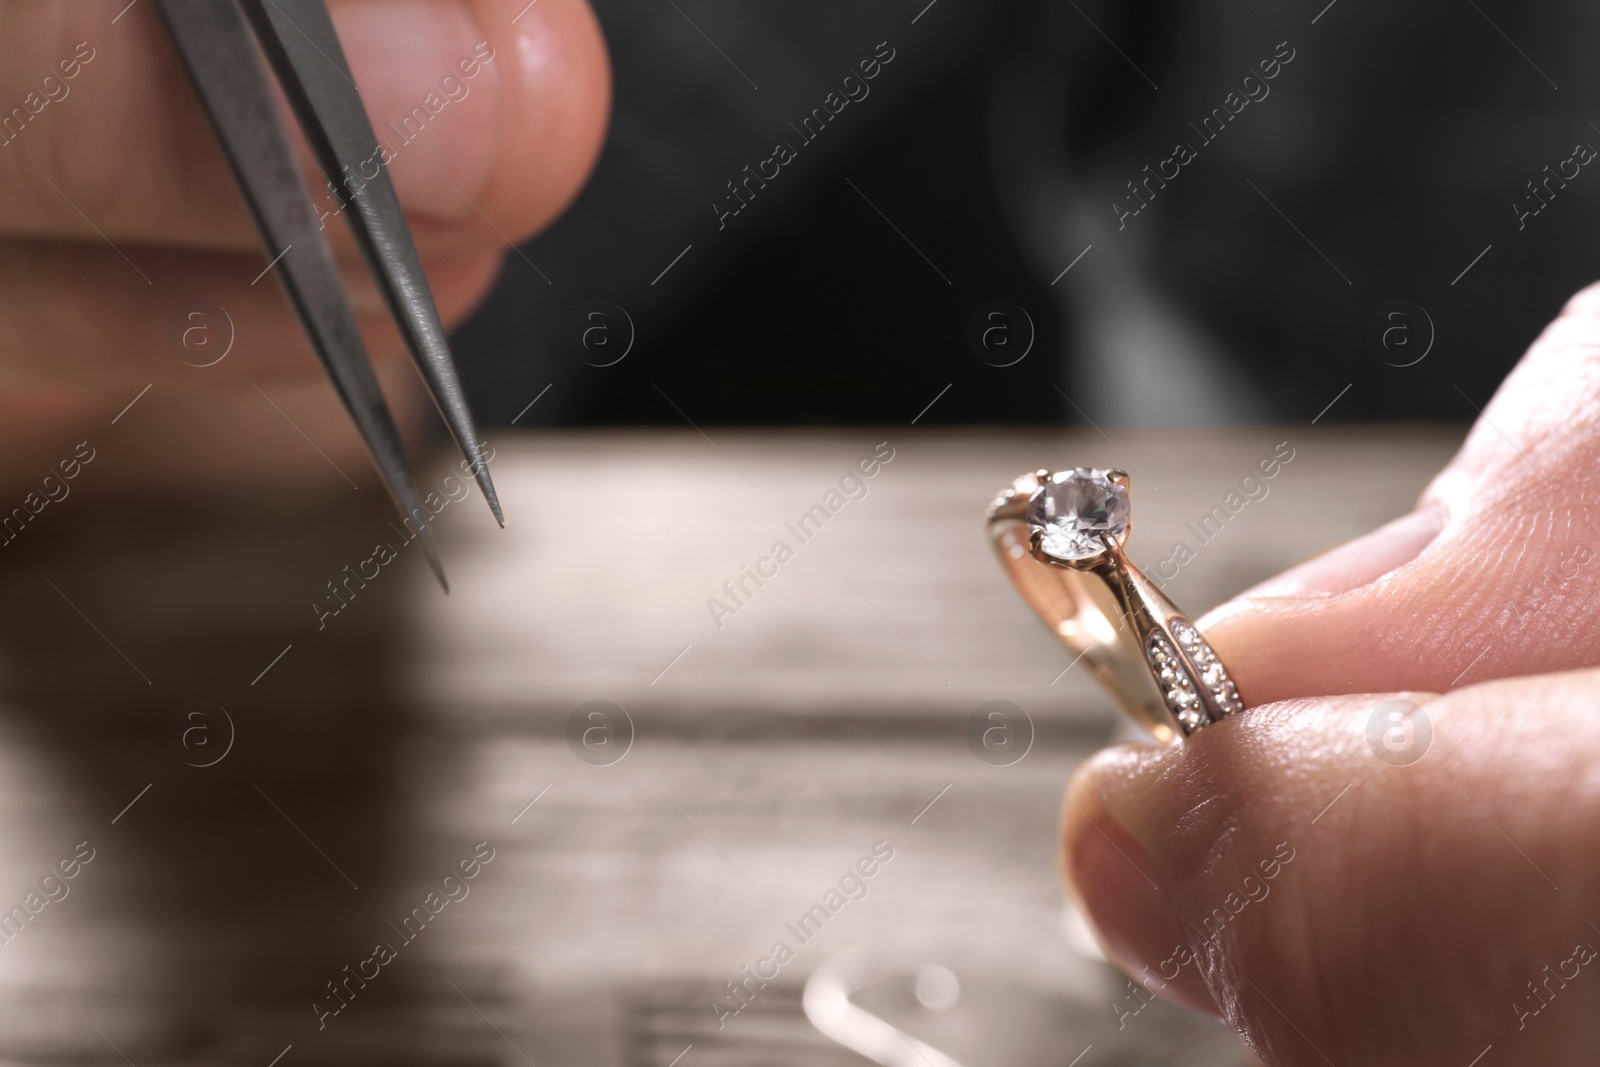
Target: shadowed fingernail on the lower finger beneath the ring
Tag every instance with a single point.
(1121, 893)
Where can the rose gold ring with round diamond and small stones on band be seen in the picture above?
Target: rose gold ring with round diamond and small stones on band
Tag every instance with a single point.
(1052, 532)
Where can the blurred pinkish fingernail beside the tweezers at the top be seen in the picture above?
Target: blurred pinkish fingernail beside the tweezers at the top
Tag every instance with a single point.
(433, 97)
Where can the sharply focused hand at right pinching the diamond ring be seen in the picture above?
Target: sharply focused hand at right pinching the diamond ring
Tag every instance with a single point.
(1350, 897)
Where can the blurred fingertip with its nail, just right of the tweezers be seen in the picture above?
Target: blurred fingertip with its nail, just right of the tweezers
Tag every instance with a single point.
(490, 114)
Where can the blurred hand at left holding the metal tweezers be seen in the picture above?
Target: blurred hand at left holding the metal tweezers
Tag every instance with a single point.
(119, 215)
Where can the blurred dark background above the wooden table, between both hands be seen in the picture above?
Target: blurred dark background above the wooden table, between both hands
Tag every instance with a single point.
(1386, 158)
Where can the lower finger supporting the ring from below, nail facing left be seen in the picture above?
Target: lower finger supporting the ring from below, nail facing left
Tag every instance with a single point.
(1350, 898)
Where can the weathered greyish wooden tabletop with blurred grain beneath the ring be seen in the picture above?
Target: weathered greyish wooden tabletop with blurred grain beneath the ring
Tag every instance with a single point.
(767, 754)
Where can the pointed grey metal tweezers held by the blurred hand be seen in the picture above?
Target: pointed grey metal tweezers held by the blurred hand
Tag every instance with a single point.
(222, 44)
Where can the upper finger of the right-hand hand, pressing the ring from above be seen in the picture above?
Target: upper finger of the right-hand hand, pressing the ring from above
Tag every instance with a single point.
(1487, 578)
